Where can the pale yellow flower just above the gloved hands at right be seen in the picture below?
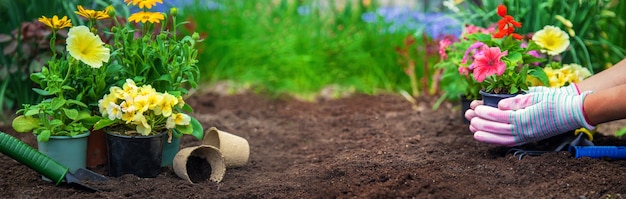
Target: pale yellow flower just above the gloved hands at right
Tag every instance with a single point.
(552, 40)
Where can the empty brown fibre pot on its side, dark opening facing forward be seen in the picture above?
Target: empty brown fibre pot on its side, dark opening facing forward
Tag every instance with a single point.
(194, 163)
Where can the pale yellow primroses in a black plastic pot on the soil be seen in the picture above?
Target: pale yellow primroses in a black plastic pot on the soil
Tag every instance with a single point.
(137, 122)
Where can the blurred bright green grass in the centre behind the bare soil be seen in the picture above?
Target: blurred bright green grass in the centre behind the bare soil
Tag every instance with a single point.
(292, 47)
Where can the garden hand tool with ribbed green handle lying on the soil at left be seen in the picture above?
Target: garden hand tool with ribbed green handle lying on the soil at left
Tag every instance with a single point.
(45, 165)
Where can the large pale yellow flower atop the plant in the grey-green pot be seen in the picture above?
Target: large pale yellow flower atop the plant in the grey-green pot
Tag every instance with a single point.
(87, 47)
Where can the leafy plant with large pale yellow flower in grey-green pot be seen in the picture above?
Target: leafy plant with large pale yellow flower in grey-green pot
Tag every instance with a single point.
(68, 83)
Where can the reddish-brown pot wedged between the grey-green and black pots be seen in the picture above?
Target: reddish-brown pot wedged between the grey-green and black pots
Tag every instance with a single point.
(96, 149)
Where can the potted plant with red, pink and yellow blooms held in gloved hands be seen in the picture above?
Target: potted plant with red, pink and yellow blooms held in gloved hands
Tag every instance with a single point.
(504, 63)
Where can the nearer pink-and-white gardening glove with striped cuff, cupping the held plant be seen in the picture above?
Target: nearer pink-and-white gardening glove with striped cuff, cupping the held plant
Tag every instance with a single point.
(528, 118)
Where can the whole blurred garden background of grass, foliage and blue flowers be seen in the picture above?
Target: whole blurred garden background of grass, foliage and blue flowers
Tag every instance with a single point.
(307, 47)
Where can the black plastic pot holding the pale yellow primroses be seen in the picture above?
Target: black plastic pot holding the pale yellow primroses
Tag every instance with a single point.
(137, 155)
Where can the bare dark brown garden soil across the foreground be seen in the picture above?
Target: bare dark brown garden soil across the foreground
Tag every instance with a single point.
(359, 146)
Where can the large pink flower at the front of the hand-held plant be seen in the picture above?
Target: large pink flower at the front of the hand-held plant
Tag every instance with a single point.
(488, 63)
